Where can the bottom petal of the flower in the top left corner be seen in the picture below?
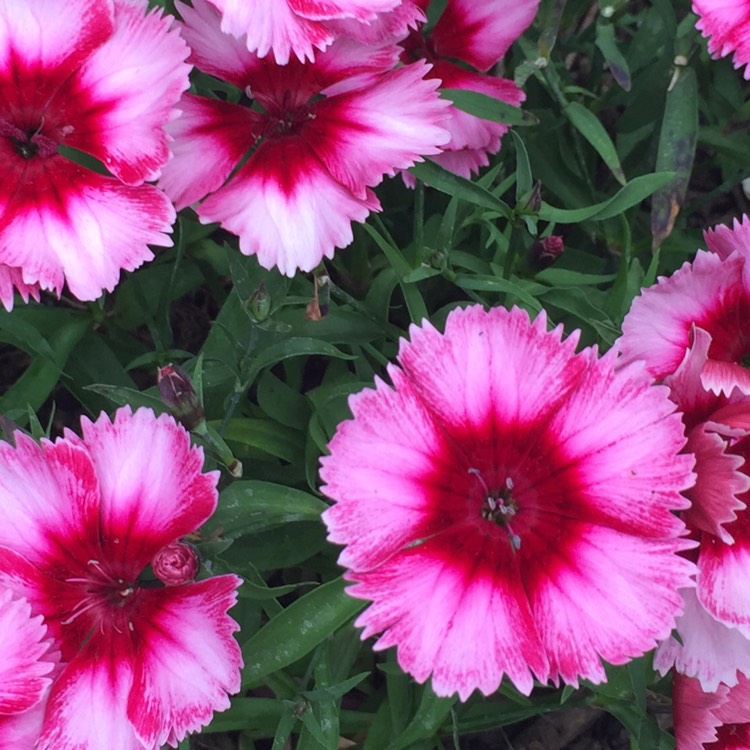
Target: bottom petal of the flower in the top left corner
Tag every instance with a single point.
(66, 224)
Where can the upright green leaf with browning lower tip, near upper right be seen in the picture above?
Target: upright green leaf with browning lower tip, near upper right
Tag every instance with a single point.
(676, 152)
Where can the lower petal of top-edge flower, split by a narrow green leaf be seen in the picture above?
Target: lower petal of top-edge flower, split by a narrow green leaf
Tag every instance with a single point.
(466, 130)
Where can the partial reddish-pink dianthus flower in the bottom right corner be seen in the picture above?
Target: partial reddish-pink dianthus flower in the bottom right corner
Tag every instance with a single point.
(719, 720)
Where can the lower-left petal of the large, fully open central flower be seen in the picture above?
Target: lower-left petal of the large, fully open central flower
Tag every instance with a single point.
(457, 610)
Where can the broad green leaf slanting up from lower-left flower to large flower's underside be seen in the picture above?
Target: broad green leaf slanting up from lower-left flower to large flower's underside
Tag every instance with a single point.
(297, 630)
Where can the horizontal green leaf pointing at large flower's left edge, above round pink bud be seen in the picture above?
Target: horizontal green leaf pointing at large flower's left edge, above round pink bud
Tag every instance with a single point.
(252, 506)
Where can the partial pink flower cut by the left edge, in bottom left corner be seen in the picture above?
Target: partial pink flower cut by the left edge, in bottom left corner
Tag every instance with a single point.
(27, 661)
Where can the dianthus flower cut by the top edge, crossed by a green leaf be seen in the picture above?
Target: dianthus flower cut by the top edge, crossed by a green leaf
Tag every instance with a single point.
(479, 35)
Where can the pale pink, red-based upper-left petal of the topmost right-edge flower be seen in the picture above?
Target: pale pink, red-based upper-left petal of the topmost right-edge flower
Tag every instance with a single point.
(709, 293)
